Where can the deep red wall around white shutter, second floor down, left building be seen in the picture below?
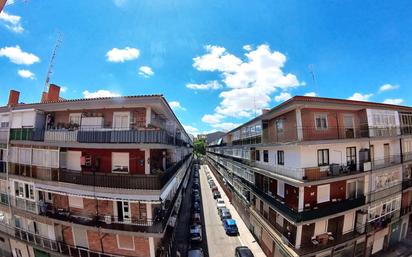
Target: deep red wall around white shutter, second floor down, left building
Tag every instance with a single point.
(136, 159)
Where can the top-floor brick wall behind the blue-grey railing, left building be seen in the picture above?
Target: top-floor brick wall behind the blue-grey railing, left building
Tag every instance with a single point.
(138, 115)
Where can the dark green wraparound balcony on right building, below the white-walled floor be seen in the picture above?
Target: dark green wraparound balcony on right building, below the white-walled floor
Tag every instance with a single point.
(306, 215)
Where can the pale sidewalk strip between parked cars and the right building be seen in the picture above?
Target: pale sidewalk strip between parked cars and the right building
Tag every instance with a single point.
(245, 236)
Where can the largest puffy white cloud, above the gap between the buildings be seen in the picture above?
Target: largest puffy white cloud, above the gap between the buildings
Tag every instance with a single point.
(250, 82)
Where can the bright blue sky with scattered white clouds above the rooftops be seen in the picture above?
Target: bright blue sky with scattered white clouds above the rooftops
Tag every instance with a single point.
(219, 62)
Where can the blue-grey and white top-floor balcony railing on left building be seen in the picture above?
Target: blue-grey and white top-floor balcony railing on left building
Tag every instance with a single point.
(98, 135)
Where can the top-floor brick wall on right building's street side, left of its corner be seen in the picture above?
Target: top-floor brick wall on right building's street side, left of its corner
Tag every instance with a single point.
(289, 125)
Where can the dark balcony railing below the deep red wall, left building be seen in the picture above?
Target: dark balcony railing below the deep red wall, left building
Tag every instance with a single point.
(115, 180)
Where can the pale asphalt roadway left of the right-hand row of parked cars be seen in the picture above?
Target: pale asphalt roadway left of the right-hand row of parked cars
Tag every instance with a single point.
(219, 244)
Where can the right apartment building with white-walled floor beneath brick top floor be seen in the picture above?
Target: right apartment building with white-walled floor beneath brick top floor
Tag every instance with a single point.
(321, 177)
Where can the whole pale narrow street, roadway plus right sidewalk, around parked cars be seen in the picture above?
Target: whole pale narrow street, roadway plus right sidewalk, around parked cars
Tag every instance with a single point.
(220, 244)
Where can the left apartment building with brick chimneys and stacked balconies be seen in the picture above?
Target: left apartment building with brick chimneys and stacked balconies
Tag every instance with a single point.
(90, 177)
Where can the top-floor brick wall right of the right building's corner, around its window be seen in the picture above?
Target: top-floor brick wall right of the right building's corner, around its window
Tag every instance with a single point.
(335, 123)
